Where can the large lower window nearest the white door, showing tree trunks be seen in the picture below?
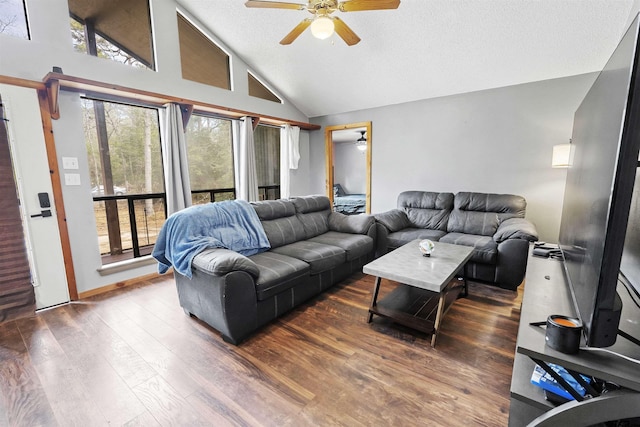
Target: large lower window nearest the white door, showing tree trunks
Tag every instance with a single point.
(125, 167)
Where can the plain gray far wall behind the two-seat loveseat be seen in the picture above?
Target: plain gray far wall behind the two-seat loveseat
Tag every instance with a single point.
(497, 141)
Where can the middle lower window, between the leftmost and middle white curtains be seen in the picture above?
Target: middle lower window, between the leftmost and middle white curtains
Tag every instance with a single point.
(210, 156)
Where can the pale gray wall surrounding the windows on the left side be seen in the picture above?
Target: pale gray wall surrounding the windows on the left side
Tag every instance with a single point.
(51, 46)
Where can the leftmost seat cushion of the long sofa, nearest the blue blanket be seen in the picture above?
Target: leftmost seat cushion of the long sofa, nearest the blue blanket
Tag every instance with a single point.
(277, 273)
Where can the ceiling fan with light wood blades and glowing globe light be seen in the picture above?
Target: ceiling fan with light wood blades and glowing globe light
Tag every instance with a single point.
(323, 24)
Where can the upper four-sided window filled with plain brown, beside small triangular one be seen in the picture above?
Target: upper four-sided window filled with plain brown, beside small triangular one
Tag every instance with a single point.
(202, 61)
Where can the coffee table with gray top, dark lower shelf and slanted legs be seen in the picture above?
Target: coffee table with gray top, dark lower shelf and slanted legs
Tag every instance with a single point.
(427, 287)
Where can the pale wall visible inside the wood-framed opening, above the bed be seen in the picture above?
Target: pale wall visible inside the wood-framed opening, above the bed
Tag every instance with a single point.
(350, 168)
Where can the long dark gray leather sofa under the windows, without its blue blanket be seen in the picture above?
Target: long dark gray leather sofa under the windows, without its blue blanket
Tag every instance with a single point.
(312, 248)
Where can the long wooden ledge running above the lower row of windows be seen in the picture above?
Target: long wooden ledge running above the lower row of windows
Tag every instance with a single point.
(79, 84)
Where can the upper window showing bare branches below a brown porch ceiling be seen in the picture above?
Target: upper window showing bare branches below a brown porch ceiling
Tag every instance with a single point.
(119, 30)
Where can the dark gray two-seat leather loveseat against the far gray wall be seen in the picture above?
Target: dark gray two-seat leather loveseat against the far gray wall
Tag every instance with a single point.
(493, 224)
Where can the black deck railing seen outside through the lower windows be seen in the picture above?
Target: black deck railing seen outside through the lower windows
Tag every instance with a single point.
(128, 224)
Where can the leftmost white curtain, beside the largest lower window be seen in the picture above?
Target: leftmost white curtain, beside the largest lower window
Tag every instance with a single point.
(174, 158)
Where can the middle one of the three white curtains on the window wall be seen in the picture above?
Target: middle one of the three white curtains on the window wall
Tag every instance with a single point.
(246, 177)
